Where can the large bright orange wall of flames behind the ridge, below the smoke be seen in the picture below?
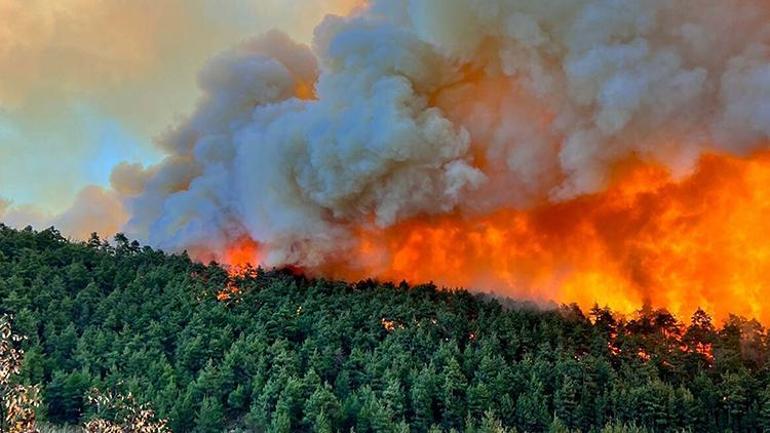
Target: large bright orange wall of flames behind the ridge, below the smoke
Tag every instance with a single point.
(702, 241)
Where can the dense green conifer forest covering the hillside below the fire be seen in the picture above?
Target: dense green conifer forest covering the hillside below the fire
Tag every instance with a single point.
(273, 351)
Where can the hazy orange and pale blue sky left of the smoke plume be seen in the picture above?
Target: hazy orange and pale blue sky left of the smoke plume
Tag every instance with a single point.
(86, 84)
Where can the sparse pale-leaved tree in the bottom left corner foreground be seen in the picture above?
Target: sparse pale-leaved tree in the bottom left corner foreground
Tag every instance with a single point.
(17, 401)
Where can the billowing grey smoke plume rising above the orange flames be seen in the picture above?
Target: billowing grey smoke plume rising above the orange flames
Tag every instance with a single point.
(433, 106)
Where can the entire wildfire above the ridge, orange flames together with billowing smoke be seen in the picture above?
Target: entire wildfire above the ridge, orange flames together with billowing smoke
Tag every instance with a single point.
(590, 156)
